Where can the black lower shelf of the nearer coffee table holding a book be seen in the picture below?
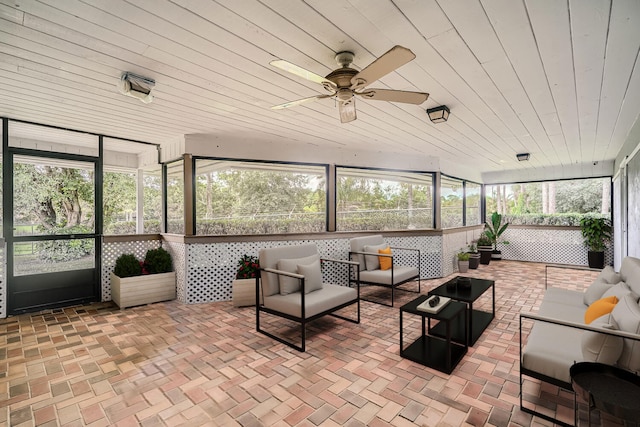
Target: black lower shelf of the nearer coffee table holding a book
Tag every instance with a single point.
(432, 352)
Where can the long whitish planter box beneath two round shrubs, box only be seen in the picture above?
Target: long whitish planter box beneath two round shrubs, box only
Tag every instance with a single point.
(145, 289)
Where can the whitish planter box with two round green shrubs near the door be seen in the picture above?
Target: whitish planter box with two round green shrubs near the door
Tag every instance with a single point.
(135, 282)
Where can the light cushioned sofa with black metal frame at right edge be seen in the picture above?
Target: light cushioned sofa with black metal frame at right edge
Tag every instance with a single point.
(559, 336)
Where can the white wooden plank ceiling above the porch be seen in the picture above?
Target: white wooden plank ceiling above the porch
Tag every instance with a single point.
(557, 78)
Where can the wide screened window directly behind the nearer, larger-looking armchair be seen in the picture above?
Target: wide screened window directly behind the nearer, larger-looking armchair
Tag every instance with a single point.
(235, 197)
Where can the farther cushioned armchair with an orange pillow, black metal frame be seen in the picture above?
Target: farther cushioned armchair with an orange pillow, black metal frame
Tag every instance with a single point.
(364, 250)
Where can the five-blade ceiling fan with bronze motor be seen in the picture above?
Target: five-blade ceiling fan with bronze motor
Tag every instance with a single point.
(346, 82)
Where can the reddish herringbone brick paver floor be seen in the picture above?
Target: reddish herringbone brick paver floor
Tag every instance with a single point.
(172, 364)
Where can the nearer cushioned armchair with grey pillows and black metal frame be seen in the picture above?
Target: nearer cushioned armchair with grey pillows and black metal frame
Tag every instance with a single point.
(292, 288)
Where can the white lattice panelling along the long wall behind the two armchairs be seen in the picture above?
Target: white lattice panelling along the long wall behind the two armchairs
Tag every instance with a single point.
(212, 267)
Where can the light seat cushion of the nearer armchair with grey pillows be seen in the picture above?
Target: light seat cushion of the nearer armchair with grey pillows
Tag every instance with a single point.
(316, 302)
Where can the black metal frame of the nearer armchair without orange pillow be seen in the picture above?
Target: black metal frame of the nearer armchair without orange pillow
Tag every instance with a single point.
(303, 319)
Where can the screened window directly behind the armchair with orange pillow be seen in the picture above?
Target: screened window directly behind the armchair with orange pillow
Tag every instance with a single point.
(370, 199)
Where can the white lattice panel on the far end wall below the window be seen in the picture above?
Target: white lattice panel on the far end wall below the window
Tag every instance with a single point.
(554, 246)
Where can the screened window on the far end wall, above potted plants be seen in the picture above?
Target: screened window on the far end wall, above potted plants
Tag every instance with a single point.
(550, 202)
